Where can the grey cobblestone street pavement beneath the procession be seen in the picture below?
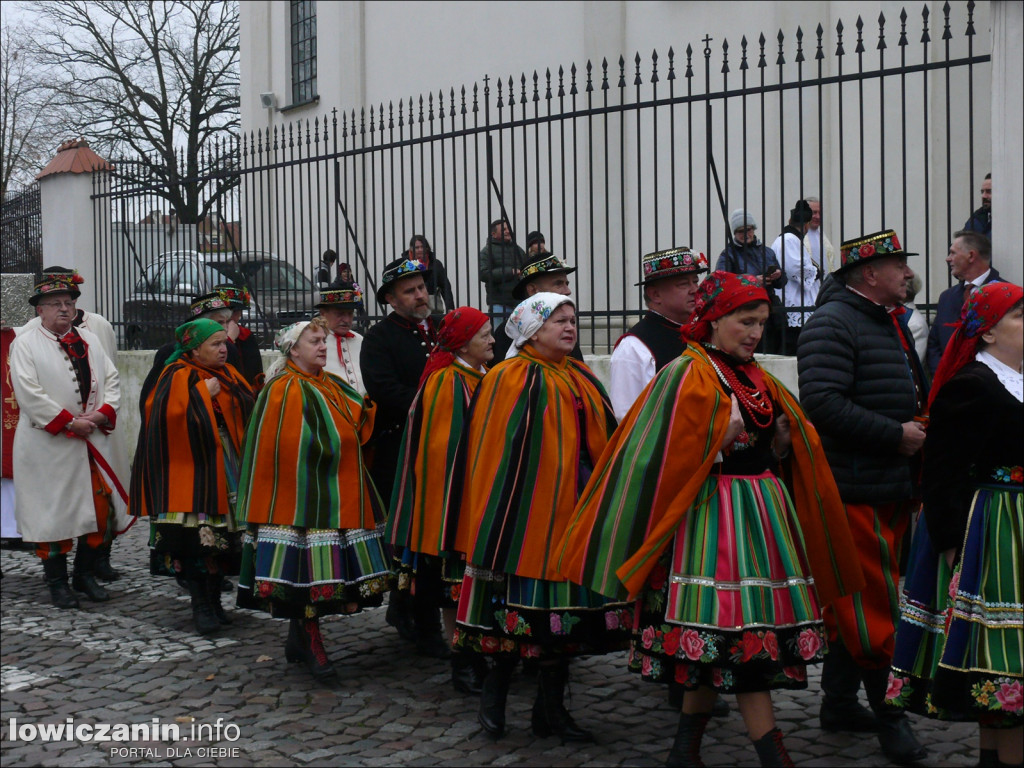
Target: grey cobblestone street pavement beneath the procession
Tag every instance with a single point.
(138, 660)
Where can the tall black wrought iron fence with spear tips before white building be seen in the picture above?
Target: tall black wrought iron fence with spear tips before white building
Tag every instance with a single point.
(882, 121)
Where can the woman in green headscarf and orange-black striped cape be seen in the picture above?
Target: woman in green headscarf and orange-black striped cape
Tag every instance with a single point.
(186, 474)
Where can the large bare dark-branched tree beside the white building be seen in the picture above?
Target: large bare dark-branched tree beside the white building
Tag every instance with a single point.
(157, 78)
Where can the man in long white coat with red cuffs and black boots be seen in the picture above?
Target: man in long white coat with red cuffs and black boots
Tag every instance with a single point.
(70, 472)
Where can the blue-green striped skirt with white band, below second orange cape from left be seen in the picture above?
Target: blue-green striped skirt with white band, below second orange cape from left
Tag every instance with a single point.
(307, 573)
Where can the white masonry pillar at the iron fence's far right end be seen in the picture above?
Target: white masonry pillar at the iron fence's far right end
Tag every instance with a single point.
(1008, 161)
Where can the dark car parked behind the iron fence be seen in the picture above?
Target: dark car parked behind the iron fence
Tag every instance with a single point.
(160, 301)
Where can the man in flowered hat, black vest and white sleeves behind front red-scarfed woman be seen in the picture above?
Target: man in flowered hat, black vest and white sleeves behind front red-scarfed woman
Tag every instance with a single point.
(670, 288)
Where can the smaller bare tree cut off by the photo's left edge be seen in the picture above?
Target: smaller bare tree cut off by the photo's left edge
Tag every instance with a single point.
(27, 140)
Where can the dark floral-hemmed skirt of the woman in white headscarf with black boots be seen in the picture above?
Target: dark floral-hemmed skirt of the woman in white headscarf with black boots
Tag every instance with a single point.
(534, 618)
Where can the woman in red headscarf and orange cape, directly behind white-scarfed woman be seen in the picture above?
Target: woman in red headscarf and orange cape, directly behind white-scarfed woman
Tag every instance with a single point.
(434, 432)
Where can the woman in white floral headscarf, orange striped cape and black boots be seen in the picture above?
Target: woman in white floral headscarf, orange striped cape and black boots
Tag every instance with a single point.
(537, 425)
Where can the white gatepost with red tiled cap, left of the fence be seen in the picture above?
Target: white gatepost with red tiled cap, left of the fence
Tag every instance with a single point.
(69, 225)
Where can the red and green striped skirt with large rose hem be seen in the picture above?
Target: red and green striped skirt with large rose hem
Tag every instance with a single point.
(732, 605)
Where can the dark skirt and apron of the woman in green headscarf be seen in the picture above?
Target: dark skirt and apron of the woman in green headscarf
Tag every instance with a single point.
(196, 543)
